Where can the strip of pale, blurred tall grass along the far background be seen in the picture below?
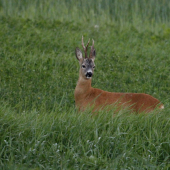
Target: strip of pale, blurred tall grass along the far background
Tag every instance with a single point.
(91, 11)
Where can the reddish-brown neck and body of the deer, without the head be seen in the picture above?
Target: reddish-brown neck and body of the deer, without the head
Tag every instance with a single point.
(85, 96)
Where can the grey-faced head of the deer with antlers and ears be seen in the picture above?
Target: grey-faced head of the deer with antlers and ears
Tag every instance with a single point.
(86, 63)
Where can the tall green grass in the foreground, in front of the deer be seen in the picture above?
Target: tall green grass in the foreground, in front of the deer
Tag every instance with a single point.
(79, 141)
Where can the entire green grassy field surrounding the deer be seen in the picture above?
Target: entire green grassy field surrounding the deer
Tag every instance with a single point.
(39, 125)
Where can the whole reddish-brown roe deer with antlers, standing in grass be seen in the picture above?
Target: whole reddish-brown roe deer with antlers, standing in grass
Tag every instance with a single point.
(85, 95)
